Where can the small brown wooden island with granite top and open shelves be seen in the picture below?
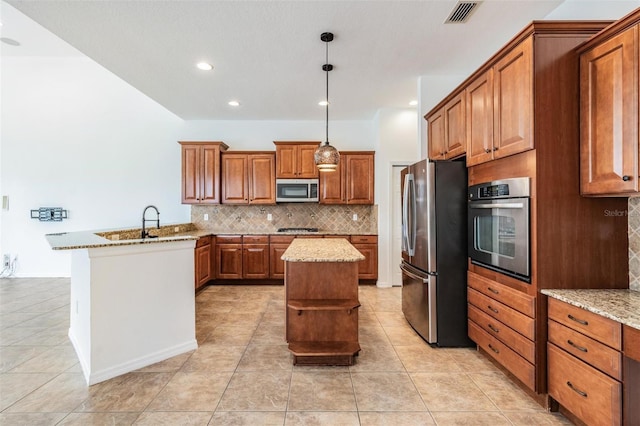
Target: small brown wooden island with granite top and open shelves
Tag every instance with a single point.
(321, 292)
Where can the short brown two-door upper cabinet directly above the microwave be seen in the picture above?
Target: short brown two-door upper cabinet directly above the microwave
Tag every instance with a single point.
(295, 160)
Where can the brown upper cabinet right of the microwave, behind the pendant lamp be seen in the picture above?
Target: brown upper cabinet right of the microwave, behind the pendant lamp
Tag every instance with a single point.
(352, 183)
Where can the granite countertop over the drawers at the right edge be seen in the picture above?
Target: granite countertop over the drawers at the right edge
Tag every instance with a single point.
(619, 305)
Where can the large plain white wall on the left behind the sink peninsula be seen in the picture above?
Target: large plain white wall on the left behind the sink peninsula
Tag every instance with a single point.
(75, 136)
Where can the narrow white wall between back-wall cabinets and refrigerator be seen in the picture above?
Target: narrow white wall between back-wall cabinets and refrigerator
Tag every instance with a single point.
(397, 142)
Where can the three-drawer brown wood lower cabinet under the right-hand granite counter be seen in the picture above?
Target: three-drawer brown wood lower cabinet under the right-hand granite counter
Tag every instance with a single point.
(584, 363)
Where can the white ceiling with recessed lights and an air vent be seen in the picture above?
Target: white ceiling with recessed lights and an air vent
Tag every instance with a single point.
(268, 54)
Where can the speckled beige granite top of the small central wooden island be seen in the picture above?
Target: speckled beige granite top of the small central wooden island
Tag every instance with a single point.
(321, 250)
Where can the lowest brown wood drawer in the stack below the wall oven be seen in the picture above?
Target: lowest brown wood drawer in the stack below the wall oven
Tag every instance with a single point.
(513, 362)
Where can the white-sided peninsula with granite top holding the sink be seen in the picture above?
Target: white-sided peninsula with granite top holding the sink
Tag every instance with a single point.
(132, 300)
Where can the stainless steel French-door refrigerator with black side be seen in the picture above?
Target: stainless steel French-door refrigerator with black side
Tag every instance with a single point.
(434, 251)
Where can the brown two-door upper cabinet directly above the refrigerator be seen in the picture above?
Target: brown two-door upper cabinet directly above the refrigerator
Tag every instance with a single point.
(447, 130)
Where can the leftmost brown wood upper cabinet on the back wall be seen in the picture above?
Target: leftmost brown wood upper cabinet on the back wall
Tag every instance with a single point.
(201, 171)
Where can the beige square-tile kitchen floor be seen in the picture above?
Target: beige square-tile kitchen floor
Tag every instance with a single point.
(242, 371)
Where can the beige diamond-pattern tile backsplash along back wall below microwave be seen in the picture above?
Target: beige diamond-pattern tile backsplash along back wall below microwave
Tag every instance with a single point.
(224, 218)
